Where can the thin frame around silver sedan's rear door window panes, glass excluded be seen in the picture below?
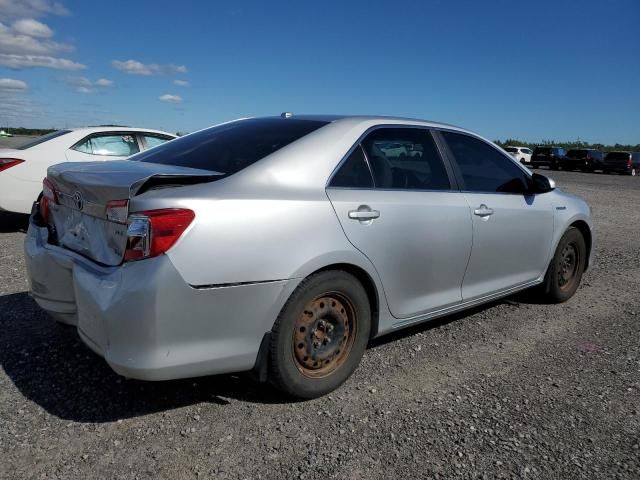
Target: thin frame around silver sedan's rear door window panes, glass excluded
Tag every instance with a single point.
(453, 184)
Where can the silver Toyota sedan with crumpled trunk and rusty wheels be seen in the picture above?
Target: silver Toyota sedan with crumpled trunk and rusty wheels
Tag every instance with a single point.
(284, 244)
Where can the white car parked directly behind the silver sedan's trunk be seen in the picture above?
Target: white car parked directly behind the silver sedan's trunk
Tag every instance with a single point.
(23, 168)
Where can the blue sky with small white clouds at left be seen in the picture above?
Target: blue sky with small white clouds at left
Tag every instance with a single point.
(527, 69)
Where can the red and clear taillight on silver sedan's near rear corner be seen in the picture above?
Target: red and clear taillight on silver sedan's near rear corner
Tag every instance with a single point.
(153, 232)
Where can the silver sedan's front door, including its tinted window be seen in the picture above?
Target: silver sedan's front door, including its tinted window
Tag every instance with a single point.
(512, 231)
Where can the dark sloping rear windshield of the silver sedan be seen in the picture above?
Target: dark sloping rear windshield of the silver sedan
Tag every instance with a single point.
(231, 147)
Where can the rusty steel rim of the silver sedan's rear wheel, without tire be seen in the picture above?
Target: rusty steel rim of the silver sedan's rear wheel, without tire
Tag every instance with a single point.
(324, 334)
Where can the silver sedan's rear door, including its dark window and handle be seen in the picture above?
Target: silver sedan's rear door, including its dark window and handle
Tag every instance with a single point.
(400, 207)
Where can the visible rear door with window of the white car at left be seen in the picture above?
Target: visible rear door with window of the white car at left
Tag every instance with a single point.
(104, 146)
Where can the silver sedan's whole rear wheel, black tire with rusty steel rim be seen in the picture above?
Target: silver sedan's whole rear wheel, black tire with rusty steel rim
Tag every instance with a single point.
(320, 335)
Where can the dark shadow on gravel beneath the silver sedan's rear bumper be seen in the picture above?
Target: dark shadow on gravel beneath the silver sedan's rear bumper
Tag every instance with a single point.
(50, 366)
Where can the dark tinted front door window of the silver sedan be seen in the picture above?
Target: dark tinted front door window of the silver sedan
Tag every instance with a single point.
(484, 168)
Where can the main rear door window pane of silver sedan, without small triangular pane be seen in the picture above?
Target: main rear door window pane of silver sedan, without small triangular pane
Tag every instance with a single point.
(405, 158)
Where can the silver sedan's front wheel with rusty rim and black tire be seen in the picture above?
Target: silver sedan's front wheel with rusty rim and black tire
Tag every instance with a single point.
(566, 268)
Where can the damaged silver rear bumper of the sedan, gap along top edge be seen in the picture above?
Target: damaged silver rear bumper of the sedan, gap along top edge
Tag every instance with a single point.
(145, 320)
